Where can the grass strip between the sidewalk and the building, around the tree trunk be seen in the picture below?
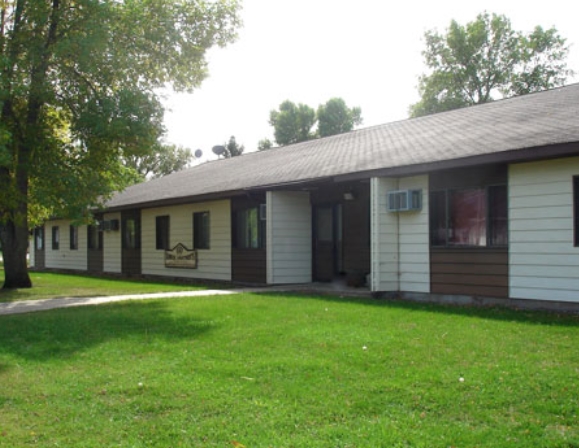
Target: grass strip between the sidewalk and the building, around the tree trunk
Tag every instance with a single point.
(51, 285)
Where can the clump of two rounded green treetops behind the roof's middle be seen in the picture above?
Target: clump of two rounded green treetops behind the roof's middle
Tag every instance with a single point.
(294, 123)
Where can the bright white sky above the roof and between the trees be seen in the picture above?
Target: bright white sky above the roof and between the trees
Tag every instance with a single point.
(368, 52)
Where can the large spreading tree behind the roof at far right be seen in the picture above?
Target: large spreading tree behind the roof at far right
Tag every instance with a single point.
(486, 59)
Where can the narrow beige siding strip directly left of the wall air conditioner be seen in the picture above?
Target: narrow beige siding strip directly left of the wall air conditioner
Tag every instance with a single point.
(385, 237)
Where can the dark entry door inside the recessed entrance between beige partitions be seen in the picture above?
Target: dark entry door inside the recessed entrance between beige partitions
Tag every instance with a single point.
(327, 242)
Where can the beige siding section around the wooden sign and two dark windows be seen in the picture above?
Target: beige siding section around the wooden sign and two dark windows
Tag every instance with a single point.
(213, 263)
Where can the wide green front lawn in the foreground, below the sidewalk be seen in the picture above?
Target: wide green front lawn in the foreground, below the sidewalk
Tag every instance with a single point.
(288, 371)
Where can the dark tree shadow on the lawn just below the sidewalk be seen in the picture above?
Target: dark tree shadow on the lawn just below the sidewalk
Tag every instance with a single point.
(65, 332)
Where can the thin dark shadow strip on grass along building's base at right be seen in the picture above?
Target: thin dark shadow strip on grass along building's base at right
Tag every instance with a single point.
(501, 313)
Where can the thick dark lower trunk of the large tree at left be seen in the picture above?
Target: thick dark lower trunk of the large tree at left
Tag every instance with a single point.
(14, 247)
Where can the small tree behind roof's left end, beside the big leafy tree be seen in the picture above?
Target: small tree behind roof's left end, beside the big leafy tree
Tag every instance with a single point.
(163, 160)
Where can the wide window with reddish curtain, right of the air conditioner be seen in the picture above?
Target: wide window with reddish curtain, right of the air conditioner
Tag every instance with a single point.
(469, 217)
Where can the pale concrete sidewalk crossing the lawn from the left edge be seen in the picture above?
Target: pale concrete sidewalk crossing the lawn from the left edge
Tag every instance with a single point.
(29, 306)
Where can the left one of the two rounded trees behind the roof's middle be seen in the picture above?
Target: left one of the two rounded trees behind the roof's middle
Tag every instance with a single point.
(292, 123)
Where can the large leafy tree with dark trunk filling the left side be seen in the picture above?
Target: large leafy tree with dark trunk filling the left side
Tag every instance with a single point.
(78, 90)
